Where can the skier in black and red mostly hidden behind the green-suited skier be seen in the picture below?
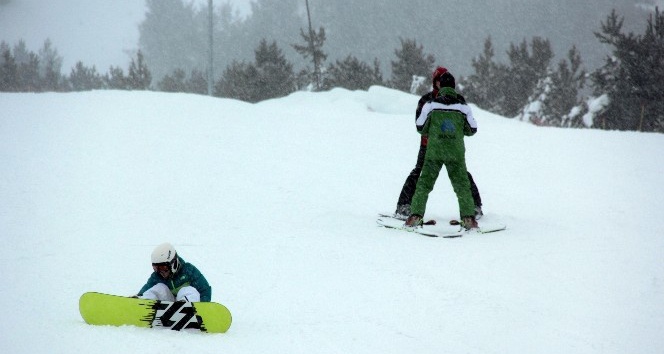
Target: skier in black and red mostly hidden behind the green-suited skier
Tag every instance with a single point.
(406, 196)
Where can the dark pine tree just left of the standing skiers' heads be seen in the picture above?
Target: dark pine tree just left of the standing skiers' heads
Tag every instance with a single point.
(411, 62)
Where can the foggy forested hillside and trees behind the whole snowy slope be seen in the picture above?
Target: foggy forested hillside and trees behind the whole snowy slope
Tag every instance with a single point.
(574, 64)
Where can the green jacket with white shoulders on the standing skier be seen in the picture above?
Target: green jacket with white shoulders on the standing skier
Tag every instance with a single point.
(446, 120)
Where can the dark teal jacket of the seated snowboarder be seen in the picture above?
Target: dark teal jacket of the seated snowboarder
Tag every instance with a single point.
(188, 275)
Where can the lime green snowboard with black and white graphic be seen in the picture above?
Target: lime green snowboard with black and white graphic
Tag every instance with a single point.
(104, 309)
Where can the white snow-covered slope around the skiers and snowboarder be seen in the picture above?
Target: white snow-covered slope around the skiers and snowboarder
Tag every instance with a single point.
(276, 203)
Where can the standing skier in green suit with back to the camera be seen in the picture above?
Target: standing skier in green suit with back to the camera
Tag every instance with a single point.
(445, 120)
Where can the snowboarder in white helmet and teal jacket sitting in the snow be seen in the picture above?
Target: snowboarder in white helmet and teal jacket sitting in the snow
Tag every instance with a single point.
(173, 279)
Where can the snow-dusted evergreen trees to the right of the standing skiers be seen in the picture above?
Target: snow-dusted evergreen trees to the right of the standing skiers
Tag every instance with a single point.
(625, 93)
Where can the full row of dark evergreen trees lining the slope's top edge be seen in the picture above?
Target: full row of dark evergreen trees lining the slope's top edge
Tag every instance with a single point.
(625, 93)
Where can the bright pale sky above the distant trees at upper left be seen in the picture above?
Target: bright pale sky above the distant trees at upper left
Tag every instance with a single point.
(100, 33)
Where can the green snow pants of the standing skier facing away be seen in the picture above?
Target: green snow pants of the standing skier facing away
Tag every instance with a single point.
(456, 171)
